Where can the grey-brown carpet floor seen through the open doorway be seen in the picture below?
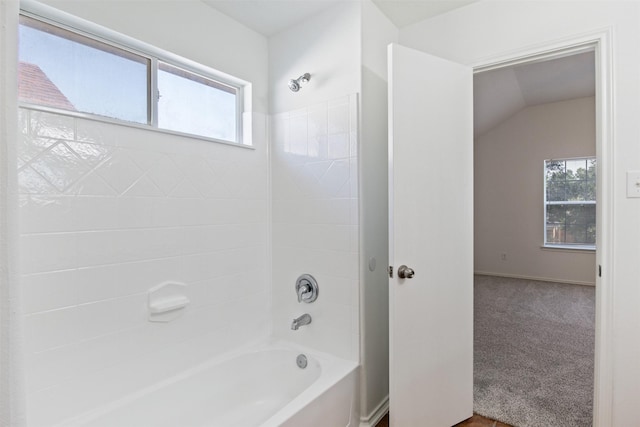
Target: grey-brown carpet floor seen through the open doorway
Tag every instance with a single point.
(533, 352)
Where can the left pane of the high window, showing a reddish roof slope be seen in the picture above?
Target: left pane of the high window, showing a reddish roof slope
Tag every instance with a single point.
(61, 69)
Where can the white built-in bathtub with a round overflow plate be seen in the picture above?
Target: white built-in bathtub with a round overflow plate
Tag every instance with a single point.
(261, 387)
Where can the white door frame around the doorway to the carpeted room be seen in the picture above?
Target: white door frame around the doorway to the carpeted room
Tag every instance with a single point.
(601, 43)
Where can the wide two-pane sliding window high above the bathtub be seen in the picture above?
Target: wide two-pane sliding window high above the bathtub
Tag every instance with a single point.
(77, 73)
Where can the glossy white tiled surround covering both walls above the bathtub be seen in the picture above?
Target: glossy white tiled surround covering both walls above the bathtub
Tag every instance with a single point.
(108, 212)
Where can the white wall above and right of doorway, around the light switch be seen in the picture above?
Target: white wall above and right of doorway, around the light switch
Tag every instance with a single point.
(491, 29)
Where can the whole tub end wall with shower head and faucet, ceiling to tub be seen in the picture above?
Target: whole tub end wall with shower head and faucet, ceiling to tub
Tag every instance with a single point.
(314, 181)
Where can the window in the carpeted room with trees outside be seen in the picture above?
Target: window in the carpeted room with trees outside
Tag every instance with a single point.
(570, 203)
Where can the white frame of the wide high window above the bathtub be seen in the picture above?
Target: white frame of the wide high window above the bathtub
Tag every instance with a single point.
(155, 56)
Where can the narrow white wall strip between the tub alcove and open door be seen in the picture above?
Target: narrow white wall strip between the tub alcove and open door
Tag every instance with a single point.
(377, 33)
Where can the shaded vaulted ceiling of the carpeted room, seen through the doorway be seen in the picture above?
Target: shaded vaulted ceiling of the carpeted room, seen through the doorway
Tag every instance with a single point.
(500, 93)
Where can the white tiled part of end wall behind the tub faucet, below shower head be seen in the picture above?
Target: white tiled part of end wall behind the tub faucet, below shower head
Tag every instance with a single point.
(315, 223)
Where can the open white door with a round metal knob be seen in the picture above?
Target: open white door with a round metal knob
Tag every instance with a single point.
(431, 232)
